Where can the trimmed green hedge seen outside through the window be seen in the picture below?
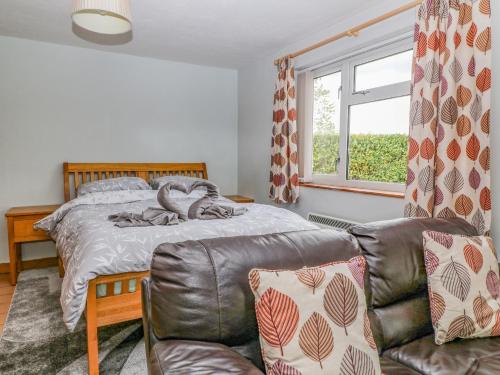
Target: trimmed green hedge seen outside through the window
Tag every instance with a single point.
(371, 157)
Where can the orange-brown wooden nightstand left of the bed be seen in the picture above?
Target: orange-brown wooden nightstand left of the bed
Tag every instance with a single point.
(20, 222)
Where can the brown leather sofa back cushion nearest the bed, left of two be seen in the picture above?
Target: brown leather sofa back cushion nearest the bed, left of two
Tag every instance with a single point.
(200, 289)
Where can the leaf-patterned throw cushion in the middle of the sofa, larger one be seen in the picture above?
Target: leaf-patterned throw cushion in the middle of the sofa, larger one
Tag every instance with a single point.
(315, 320)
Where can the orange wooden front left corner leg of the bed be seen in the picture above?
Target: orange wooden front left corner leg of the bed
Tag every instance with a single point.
(92, 339)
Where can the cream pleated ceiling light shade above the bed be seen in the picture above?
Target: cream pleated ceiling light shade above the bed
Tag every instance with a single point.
(103, 16)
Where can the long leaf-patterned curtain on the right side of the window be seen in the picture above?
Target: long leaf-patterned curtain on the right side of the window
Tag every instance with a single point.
(449, 146)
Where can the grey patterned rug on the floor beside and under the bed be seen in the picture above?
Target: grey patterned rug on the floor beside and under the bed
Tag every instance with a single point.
(36, 341)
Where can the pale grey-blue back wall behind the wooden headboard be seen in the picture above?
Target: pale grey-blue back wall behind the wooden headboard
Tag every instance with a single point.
(60, 103)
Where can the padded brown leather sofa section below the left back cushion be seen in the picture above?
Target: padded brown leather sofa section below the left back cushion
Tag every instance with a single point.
(197, 357)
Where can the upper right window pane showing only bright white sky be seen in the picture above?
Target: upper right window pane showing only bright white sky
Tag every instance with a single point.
(384, 72)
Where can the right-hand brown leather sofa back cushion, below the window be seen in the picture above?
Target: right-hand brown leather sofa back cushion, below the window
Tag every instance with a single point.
(398, 282)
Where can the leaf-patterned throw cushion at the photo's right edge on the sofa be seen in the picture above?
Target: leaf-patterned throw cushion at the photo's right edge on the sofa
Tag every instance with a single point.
(462, 275)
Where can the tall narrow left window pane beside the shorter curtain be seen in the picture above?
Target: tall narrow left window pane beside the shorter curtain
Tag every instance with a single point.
(326, 123)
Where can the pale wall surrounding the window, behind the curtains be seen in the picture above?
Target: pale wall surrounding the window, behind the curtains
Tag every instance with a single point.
(256, 84)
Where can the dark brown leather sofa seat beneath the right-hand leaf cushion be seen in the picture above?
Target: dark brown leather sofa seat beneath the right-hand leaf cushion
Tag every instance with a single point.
(479, 356)
